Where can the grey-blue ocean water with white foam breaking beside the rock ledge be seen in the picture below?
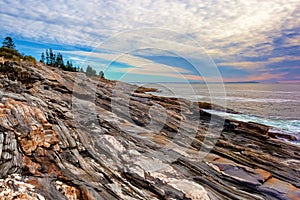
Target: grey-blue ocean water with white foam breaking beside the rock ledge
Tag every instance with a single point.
(276, 105)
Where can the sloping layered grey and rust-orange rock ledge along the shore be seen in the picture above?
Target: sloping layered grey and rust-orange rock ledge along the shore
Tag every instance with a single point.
(65, 136)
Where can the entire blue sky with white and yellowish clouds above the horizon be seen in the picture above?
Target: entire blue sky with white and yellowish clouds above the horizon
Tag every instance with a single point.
(134, 41)
